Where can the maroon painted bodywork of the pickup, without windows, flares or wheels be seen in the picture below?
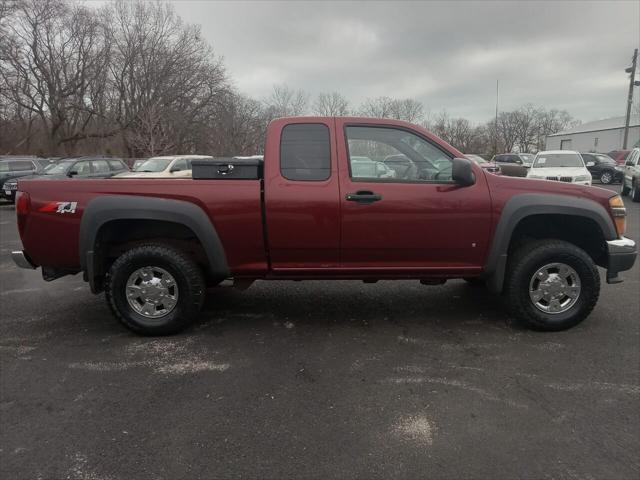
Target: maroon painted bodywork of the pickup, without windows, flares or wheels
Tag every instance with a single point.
(416, 230)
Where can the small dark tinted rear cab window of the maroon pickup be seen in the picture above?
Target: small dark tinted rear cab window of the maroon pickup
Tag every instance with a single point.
(305, 152)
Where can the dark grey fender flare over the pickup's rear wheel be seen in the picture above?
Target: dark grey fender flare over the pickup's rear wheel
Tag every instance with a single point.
(107, 208)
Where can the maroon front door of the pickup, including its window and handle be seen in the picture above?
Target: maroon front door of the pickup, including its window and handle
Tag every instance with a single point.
(401, 211)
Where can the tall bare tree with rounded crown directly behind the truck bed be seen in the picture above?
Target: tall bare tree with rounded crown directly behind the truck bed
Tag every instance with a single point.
(160, 69)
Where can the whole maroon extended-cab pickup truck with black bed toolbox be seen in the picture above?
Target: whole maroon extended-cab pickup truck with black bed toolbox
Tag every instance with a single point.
(333, 198)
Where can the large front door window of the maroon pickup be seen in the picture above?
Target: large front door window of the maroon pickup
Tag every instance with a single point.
(392, 154)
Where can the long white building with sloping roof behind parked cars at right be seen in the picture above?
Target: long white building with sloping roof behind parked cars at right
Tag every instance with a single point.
(601, 136)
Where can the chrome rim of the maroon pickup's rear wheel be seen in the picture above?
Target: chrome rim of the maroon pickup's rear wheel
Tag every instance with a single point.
(152, 292)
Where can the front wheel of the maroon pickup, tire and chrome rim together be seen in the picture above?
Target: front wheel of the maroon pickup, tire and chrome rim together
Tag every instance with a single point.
(552, 285)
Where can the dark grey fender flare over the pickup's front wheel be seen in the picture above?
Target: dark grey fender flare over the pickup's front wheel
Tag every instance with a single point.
(527, 204)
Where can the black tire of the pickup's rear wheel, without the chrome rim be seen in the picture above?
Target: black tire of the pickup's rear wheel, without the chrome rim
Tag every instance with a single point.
(188, 277)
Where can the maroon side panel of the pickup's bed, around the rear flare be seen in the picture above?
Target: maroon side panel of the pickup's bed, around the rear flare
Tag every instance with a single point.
(233, 206)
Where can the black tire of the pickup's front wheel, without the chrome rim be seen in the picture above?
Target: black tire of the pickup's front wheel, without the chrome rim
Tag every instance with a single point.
(527, 260)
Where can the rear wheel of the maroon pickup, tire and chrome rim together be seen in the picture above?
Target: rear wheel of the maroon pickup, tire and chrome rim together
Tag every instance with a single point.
(155, 289)
